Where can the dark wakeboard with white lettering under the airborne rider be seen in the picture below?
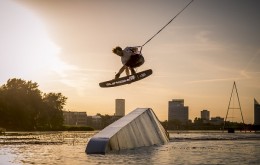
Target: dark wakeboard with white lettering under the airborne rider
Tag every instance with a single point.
(126, 80)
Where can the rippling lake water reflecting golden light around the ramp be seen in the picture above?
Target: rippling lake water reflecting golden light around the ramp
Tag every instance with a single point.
(190, 147)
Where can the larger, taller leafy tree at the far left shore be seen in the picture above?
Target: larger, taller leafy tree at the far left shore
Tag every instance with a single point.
(20, 102)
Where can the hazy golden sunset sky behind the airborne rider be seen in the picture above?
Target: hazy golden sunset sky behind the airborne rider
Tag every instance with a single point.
(66, 46)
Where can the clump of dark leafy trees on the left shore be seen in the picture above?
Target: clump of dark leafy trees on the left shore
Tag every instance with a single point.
(23, 107)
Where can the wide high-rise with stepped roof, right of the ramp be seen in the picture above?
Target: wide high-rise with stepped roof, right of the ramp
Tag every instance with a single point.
(177, 111)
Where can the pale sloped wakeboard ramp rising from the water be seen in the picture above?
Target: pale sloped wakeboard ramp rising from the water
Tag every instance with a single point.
(139, 128)
